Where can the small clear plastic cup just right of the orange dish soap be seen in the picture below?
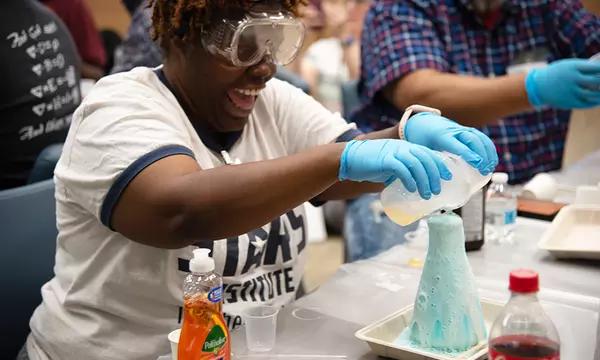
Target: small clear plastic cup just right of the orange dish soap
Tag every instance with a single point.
(261, 326)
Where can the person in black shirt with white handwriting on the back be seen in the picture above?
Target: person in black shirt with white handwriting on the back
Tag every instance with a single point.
(39, 68)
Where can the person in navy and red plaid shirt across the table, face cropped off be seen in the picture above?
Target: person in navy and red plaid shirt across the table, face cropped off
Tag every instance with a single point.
(512, 68)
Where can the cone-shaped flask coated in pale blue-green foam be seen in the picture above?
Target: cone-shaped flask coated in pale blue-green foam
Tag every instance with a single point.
(447, 314)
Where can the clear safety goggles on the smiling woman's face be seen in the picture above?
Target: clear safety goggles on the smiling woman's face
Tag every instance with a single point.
(247, 41)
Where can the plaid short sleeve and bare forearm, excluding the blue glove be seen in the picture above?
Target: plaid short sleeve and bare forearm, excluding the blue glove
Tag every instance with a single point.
(405, 57)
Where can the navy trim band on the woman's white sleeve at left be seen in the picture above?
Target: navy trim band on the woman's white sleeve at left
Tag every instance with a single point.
(117, 188)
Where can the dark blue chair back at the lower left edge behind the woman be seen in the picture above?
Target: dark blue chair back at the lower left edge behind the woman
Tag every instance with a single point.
(28, 233)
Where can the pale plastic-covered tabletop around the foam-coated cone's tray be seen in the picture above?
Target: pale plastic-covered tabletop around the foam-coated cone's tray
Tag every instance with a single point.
(322, 324)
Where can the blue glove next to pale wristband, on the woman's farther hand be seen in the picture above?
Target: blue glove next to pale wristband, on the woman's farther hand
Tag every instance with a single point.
(441, 134)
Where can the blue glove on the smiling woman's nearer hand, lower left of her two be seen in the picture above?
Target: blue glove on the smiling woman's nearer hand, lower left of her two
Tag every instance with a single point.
(384, 161)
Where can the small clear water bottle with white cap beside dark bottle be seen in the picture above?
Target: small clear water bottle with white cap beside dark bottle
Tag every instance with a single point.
(501, 210)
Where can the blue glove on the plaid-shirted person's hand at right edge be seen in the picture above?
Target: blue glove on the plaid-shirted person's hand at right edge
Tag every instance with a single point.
(565, 84)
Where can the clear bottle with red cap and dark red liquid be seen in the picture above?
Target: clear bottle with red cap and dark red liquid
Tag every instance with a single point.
(523, 331)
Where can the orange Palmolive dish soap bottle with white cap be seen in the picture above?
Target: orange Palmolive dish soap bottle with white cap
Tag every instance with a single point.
(204, 334)
